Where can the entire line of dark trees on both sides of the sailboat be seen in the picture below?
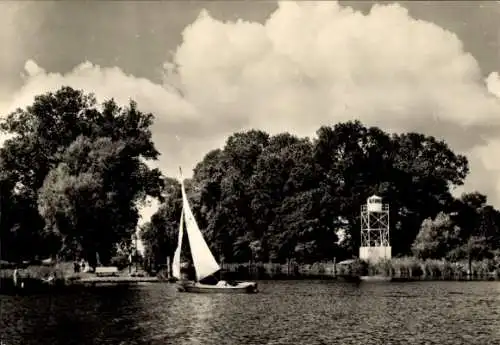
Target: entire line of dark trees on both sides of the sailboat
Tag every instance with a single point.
(73, 175)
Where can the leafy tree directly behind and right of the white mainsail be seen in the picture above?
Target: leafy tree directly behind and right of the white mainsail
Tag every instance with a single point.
(223, 201)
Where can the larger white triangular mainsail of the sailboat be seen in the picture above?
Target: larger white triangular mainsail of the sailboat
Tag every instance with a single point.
(204, 262)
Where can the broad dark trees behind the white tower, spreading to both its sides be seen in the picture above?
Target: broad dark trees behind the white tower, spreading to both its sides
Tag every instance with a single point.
(411, 171)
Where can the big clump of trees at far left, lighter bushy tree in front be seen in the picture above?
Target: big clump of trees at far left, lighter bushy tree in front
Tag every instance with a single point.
(72, 176)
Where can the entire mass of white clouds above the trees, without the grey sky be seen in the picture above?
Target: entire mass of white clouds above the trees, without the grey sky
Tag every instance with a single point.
(310, 64)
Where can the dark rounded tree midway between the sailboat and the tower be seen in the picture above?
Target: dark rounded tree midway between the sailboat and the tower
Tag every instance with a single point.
(290, 204)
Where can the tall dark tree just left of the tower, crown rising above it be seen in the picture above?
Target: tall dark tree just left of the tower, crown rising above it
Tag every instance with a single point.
(355, 161)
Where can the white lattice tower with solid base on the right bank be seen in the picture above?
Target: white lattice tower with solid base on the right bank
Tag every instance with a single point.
(375, 243)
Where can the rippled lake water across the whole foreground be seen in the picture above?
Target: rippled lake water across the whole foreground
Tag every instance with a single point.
(285, 312)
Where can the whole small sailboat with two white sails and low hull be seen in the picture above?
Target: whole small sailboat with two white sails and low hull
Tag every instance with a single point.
(204, 262)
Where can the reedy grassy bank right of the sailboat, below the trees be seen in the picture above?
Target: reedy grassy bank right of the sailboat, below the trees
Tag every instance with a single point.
(407, 268)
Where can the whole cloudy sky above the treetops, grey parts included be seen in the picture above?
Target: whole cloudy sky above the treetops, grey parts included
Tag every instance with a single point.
(207, 69)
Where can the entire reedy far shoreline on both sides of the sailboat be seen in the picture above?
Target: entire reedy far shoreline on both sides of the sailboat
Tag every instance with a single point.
(62, 276)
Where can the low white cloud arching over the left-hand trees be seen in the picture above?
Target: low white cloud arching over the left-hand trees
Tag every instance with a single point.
(173, 113)
